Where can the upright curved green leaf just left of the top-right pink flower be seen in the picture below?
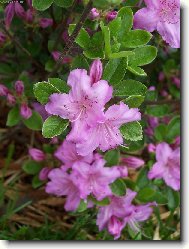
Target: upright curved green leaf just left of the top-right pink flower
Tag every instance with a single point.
(126, 15)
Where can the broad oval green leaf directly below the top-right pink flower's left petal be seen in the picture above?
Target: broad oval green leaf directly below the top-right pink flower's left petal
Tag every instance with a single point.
(136, 38)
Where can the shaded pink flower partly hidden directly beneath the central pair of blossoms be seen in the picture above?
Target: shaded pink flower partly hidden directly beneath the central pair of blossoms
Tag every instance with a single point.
(68, 155)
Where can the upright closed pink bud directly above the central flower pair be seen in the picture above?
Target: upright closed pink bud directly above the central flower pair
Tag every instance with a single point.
(96, 71)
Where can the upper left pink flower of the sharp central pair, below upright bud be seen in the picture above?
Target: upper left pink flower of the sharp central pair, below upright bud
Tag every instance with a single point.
(83, 105)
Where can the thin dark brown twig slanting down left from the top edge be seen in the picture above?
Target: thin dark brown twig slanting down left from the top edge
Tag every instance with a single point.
(72, 38)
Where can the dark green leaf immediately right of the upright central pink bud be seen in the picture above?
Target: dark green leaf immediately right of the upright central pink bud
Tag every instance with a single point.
(115, 71)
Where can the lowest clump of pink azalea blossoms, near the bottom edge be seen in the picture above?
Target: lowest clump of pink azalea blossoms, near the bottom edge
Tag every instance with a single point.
(121, 212)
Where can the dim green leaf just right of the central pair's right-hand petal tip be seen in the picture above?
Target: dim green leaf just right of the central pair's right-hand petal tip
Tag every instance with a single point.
(158, 110)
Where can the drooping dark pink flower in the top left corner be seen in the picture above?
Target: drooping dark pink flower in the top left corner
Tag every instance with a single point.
(12, 9)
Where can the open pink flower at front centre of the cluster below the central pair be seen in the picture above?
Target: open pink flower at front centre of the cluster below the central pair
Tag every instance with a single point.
(94, 179)
